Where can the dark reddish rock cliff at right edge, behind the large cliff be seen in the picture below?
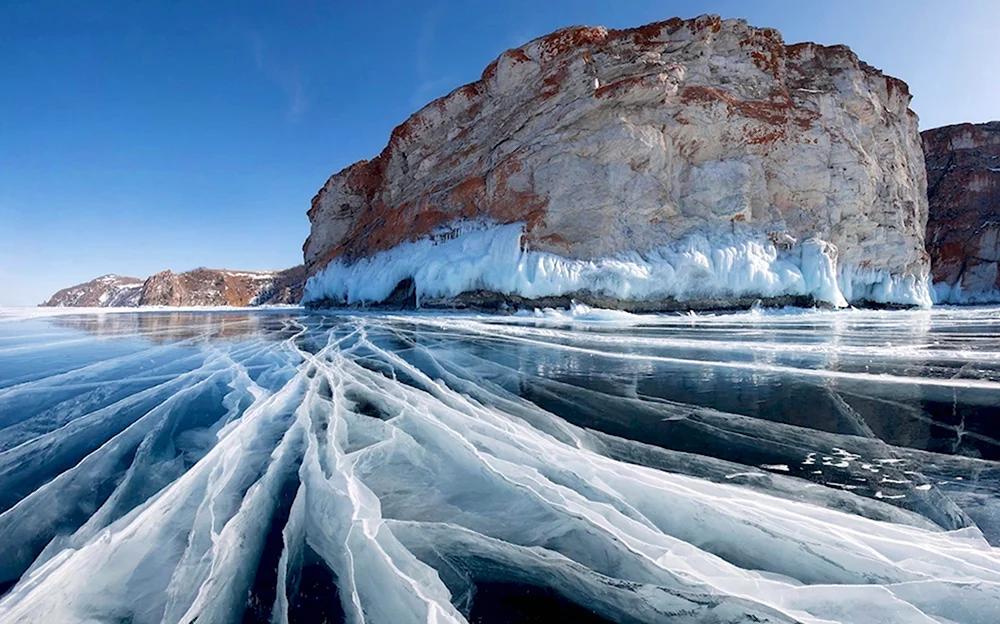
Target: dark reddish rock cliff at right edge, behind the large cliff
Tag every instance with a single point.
(963, 228)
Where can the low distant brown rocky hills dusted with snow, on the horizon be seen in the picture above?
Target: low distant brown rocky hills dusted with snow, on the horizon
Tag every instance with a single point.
(200, 287)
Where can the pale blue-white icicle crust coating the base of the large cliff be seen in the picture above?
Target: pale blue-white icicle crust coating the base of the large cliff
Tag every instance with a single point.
(699, 266)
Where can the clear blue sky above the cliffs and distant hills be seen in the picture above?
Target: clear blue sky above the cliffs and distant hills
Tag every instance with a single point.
(141, 136)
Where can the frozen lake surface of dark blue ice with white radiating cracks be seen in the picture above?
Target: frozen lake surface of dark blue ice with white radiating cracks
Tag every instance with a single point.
(286, 466)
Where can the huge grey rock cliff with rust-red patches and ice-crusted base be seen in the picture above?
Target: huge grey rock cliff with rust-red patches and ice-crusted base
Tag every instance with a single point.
(609, 144)
